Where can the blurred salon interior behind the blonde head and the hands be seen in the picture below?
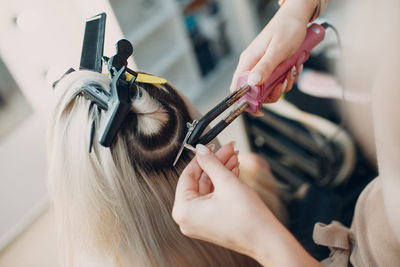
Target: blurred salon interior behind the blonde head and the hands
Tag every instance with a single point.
(195, 44)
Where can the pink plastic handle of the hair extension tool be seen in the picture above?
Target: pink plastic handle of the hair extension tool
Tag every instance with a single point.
(256, 95)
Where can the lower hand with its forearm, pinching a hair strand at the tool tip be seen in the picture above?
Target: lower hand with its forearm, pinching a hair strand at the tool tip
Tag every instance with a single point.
(230, 214)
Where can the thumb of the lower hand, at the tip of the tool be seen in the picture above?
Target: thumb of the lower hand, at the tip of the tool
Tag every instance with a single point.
(210, 164)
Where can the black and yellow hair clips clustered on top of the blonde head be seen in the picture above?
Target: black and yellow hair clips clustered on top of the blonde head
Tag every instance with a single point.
(116, 103)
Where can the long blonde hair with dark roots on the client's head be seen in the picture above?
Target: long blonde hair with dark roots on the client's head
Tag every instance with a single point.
(113, 205)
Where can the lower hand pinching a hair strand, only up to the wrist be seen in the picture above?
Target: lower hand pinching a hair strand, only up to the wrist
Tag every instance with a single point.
(229, 214)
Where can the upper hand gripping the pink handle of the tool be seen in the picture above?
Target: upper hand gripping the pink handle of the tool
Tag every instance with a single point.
(279, 40)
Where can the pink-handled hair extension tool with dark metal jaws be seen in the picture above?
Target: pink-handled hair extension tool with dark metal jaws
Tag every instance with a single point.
(249, 98)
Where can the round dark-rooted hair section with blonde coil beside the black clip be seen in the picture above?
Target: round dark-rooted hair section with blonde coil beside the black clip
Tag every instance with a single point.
(157, 125)
